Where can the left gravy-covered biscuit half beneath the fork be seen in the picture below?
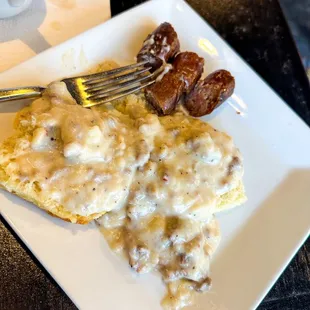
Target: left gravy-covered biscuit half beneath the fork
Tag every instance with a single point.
(60, 158)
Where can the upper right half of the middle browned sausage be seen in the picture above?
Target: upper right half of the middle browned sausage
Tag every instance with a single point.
(190, 66)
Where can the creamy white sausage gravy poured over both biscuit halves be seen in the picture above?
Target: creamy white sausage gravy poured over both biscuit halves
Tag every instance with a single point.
(158, 178)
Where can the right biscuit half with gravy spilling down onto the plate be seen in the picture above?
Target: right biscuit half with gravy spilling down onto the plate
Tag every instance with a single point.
(168, 224)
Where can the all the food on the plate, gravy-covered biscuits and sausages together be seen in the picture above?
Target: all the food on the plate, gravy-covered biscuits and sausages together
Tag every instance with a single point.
(153, 183)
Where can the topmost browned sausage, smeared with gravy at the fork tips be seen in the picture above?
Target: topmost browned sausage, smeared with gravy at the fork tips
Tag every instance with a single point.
(159, 46)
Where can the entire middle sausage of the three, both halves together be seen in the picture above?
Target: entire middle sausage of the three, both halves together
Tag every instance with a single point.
(164, 95)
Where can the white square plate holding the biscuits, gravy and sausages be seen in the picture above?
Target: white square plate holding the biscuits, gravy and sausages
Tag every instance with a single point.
(258, 239)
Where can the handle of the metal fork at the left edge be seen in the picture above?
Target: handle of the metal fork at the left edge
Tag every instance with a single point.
(18, 93)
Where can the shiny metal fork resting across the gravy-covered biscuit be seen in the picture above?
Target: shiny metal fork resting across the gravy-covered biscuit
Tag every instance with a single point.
(94, 89)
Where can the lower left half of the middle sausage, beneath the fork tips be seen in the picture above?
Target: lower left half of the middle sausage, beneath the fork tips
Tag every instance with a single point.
(165, 94)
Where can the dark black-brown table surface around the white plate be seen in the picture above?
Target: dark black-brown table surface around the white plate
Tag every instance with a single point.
(257, 30)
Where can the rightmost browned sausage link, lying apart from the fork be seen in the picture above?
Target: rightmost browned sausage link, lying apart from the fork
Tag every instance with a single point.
(209, 93)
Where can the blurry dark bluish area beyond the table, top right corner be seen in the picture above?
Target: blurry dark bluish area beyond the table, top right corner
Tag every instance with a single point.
(297, 13)
